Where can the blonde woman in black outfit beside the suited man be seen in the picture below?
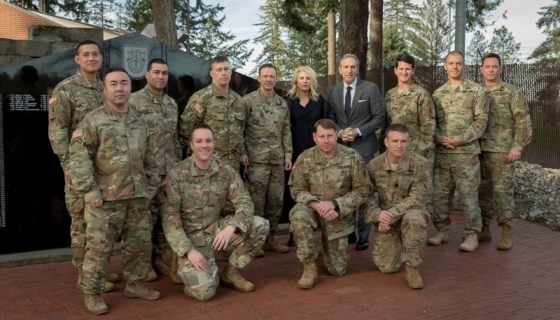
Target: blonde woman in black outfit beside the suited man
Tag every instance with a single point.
(306, 107)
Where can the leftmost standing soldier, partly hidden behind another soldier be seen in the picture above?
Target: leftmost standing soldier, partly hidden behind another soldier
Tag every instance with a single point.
(71, 100)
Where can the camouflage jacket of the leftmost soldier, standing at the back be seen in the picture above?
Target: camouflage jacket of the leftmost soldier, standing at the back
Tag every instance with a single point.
(71, 100)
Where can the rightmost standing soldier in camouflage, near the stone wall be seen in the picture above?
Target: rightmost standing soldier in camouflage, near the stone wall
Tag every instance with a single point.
(509, 130)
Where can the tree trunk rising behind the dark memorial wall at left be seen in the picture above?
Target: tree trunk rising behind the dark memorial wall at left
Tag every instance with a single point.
(164, 22)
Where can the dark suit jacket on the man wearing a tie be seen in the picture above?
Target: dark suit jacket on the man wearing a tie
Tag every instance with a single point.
(368, 115)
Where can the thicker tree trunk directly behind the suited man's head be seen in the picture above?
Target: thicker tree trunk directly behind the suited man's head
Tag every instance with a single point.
(353, 30)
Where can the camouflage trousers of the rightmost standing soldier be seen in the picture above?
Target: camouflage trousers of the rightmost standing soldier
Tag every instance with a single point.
(496, 188)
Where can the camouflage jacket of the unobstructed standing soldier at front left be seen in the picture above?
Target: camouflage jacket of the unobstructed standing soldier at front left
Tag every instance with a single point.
(111, 160)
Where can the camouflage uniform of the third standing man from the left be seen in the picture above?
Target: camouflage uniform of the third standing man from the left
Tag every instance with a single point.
(160, 115)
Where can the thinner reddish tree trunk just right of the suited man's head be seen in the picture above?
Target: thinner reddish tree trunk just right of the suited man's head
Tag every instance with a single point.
(375, 51)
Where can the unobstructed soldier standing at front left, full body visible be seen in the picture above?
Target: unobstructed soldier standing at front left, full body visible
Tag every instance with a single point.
(113, 165)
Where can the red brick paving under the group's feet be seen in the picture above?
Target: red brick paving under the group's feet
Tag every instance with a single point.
(487, 284)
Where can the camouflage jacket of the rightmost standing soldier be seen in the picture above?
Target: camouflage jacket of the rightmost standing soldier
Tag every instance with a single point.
(509, 123)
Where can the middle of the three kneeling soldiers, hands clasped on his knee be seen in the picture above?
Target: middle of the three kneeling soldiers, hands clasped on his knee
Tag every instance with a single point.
(328, 182)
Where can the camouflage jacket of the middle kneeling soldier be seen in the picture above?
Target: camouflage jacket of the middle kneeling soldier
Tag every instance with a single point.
(342, 178)
